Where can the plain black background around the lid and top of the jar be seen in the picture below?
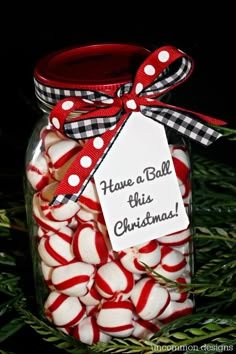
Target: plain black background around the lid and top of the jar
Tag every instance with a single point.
(27, 34)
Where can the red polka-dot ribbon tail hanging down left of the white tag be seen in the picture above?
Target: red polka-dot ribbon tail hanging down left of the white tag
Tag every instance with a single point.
(85, 164)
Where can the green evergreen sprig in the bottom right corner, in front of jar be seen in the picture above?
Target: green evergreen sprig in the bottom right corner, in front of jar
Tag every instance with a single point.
(200, 333)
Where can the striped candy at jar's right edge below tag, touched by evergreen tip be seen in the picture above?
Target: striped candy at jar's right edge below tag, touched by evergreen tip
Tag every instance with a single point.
(173, 263)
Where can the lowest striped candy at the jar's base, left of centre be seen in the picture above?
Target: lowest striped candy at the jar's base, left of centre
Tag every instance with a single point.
(88, 332)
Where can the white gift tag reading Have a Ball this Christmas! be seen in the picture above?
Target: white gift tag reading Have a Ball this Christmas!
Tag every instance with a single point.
(137, 186)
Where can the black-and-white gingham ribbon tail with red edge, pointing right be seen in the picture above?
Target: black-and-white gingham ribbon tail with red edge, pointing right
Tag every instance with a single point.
(184, 122)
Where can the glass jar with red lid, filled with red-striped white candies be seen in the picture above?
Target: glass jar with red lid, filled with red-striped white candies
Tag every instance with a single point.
(80, 282)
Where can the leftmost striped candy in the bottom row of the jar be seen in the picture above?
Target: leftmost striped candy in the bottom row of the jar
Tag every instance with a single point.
(63, 310)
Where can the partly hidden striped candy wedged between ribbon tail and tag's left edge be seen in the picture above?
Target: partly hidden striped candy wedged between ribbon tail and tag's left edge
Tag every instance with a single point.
(89, 198)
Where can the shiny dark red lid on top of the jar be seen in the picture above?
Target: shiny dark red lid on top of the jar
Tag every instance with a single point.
(102, 67)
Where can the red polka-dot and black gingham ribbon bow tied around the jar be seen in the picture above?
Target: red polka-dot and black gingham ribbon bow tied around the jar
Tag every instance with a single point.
(106, 115)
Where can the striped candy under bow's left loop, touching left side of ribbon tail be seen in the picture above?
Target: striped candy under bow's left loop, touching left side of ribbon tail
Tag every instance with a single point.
(61, 155)
